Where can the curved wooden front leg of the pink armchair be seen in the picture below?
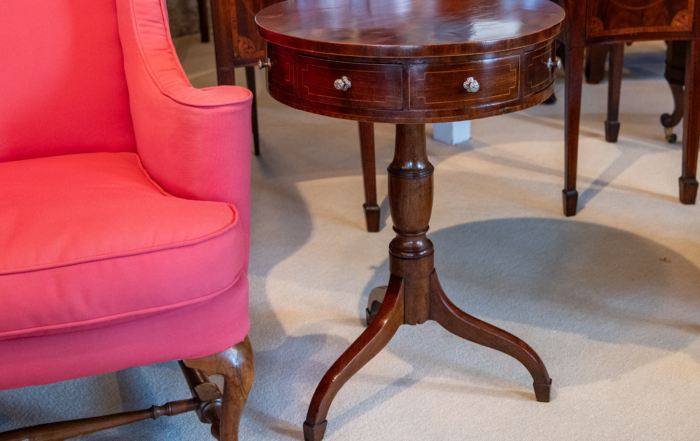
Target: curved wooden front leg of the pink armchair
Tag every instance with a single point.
(237, 368)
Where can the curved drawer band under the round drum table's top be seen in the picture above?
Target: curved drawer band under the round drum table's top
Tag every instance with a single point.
(431, 90)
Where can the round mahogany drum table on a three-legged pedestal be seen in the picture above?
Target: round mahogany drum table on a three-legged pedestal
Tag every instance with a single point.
(412, 62)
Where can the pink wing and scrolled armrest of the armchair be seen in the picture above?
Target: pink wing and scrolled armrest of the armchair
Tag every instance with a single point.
(194, 143)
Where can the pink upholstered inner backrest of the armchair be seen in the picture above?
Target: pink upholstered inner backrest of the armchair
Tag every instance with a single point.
(62, 83)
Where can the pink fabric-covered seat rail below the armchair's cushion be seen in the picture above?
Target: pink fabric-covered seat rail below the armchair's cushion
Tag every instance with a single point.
(195, 331)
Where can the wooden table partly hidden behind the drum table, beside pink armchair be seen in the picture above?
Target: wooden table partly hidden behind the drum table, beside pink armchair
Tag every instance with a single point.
(238, 44)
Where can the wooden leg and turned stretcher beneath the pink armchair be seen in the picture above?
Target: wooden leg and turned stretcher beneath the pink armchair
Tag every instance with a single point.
(222, 411)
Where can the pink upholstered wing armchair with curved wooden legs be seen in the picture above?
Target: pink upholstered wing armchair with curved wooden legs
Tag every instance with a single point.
(124, 209)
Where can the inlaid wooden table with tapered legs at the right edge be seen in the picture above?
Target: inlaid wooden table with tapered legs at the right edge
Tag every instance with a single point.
(616, 22)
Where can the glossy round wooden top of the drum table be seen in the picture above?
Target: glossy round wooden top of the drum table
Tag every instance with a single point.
(409, 28)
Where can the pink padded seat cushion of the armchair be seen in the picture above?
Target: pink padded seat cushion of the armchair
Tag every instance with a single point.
(89, 240)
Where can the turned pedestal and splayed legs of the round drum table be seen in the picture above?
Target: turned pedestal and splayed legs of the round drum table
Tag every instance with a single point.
(414, 294)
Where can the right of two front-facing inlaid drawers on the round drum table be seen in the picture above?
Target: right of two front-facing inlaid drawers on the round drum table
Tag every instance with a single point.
(441, 86)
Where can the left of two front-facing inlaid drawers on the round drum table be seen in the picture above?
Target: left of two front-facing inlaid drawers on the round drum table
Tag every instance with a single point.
(372, 86)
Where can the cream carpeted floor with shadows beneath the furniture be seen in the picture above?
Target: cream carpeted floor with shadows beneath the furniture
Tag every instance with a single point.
(610, 299)
